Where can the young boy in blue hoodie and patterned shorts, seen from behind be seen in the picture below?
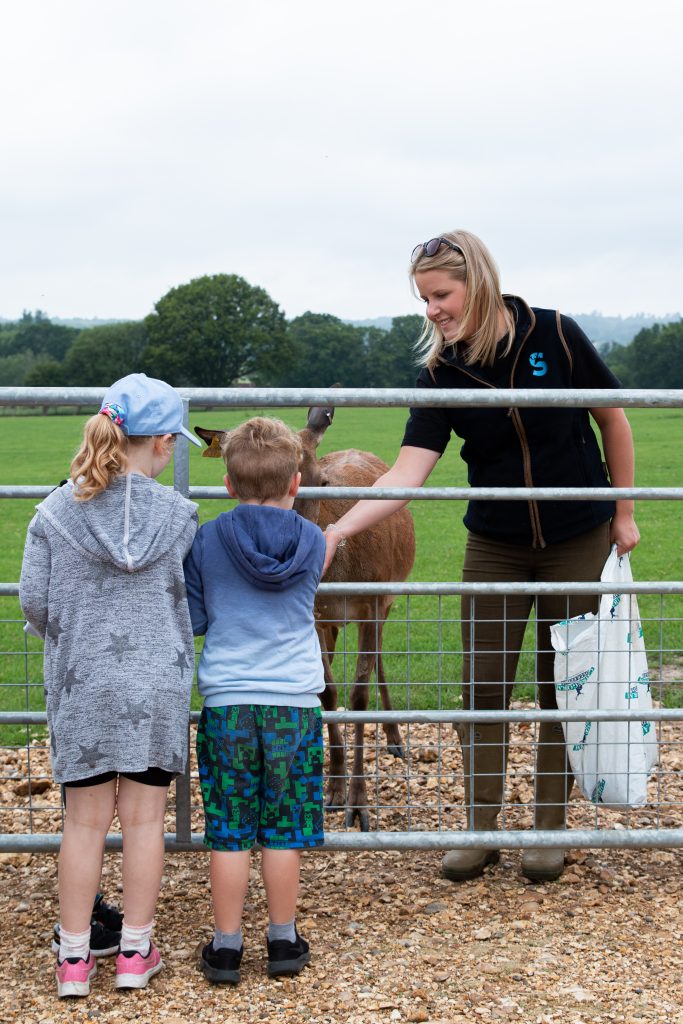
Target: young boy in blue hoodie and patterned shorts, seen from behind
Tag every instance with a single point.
(251, 578)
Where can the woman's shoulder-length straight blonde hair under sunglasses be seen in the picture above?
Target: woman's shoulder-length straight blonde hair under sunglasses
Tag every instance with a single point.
(484, 303)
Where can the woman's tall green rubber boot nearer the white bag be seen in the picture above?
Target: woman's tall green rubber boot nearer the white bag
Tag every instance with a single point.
(553, 786)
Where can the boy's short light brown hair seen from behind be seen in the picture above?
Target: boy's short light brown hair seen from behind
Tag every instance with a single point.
(262, 457)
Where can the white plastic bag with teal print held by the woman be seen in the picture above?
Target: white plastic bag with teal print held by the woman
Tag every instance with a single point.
(601, 662)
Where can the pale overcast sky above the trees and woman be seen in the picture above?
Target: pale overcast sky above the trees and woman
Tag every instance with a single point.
(309, 146)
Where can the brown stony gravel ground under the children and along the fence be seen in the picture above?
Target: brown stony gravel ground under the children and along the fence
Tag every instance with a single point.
(391, 941)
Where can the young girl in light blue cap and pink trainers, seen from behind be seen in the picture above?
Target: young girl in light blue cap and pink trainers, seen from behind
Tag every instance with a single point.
(103, 583)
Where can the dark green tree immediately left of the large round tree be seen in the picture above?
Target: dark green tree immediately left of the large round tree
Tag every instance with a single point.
(103, 355)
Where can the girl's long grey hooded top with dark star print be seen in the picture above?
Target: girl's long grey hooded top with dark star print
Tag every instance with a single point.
(103, 583)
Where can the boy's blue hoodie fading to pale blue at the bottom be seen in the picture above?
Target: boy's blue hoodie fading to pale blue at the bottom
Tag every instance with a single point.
(251, 579)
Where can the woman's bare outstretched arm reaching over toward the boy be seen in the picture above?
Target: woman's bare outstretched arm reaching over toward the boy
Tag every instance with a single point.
(410, 471)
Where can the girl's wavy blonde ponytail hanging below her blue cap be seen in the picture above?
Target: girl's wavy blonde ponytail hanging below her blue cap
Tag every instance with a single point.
(103, 456)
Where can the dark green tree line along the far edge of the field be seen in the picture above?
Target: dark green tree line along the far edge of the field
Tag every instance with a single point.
(220, 331)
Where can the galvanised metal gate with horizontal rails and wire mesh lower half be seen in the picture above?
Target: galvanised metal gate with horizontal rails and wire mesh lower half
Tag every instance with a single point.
(416, 802)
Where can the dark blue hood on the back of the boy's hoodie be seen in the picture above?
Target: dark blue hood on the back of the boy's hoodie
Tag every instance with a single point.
(270, 547)
